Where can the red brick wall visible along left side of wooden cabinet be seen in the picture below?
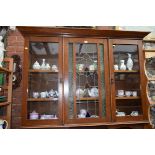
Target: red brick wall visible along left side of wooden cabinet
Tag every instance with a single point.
(15, 45)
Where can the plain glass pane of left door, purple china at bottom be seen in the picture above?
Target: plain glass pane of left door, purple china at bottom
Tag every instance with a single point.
(43, 93)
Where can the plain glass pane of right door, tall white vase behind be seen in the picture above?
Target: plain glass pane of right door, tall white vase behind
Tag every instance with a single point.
(127, 80)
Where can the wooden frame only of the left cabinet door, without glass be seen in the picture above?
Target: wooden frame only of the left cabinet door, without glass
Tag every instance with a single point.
(41, 123)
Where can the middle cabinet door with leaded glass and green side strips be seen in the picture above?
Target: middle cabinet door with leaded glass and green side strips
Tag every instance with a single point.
(86, 89)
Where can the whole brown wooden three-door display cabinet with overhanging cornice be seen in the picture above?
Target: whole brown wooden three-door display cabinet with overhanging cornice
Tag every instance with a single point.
(85, 79)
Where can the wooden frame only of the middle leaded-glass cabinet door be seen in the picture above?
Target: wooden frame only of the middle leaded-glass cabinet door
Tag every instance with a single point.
(66, 82)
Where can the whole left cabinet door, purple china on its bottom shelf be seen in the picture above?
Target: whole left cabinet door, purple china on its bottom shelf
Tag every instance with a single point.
(42, 99)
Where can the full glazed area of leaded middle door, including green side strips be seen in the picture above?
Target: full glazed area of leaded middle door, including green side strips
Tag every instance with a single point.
(83, 80)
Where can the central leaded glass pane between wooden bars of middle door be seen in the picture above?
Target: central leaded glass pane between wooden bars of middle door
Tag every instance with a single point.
(87, 102)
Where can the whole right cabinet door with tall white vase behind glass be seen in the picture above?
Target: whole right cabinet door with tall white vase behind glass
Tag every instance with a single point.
(127, 80)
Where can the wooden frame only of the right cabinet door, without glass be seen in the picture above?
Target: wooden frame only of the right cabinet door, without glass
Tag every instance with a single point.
(141, 72)
